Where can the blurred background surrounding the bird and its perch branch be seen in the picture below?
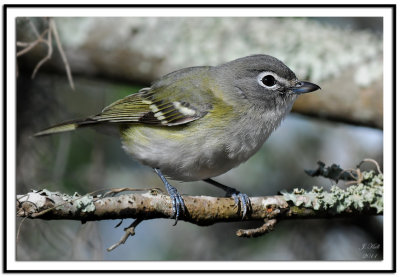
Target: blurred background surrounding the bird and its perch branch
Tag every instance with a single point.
(110, 58)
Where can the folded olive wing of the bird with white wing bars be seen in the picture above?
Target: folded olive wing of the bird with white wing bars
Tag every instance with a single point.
(176, 99)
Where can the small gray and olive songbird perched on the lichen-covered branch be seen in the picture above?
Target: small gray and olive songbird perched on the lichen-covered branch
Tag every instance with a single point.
(199, 122)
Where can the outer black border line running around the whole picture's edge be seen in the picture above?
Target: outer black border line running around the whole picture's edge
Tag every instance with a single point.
(6, 6)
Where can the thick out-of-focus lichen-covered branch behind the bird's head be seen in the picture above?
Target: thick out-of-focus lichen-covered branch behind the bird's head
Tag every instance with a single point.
(129, 49)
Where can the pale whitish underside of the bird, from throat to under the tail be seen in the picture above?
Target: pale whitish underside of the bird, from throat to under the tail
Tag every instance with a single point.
(199, 153)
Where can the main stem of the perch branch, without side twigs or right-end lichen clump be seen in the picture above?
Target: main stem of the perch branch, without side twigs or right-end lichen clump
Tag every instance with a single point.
(201, 210)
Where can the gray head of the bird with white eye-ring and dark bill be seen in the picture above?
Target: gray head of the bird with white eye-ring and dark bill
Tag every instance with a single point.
(263, 80)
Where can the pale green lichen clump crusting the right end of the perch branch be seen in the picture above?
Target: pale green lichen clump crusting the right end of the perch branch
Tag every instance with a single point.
(368, 192)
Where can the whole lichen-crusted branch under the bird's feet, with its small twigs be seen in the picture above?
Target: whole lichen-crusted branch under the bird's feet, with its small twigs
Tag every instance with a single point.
(363, 197)
